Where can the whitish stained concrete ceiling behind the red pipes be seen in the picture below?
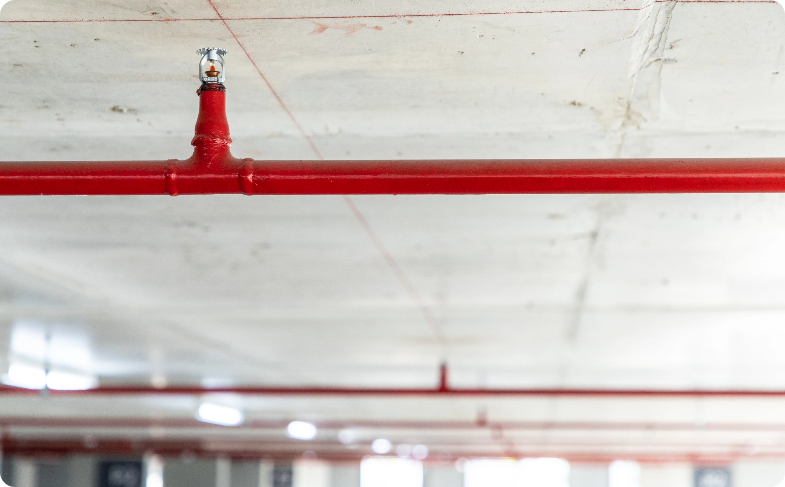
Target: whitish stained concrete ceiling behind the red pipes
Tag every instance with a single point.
(636, 291)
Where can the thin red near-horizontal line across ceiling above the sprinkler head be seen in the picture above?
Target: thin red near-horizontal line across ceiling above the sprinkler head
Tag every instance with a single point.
(378, 16)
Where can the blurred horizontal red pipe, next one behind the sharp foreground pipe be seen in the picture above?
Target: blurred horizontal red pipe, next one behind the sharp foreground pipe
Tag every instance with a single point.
(407, 392)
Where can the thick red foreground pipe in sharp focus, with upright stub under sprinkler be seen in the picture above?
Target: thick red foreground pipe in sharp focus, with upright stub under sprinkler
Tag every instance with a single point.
(213, 170)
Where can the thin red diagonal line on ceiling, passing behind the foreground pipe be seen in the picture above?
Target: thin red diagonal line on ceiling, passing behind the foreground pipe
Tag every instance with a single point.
(388, 258)
